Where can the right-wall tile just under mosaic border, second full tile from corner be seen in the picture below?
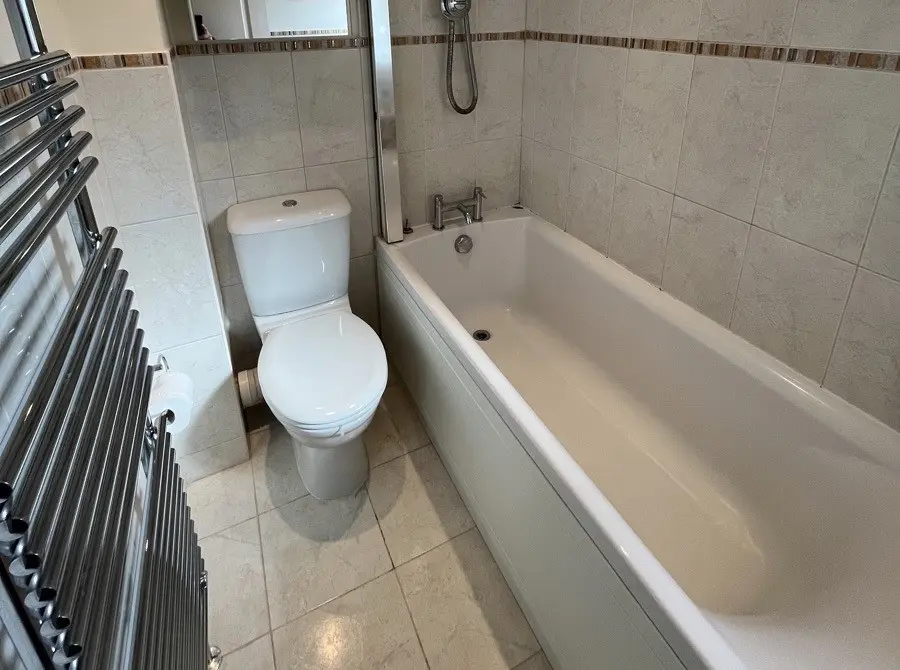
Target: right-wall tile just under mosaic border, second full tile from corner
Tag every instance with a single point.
(599, 86)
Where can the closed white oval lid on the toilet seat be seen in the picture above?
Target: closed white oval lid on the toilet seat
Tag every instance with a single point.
(323, 370)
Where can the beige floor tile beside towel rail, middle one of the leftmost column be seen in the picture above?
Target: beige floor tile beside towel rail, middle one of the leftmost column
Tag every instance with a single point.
(237, 596)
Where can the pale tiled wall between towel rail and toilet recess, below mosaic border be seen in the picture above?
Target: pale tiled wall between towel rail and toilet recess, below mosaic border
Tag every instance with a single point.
(144, 188)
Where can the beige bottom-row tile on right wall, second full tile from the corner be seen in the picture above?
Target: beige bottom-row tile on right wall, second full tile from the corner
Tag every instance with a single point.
(591, 190)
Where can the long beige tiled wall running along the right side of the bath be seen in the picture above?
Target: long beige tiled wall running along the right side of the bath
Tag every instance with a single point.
(764, 193)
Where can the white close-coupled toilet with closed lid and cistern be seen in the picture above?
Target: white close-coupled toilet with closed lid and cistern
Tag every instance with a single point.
(322, 370)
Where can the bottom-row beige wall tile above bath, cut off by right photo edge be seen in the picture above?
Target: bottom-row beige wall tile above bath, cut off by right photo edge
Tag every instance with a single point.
(864, 365)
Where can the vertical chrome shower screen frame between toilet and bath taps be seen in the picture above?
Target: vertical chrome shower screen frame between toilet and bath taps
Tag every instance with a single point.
(387, 156)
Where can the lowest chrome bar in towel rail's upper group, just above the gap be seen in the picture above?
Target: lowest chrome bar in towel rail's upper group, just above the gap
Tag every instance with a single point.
(23, 249)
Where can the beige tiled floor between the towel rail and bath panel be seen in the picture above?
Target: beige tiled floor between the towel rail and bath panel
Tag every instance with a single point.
(397, 578)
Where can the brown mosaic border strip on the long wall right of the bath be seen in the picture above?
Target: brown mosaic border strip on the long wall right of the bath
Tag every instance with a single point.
(849, 59)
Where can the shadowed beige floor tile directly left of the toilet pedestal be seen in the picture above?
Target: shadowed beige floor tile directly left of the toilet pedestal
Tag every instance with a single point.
(275, 474)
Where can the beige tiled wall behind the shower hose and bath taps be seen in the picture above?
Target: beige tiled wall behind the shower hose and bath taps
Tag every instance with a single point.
(440, 150)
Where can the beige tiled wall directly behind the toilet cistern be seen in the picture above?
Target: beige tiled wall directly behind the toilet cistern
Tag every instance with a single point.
(268, 124)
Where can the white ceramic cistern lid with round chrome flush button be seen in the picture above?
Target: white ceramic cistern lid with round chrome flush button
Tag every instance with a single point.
(287, 212)
